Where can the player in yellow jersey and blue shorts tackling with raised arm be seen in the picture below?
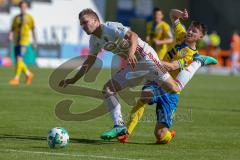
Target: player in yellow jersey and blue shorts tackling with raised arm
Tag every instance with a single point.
(182, 56)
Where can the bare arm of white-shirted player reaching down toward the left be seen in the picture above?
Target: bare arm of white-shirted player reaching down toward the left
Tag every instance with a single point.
(84, 69)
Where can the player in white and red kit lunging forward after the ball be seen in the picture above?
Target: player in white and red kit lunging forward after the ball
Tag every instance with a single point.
(118, 39)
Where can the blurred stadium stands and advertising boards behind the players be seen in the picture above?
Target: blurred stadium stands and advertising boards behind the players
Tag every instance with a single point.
(60, 36)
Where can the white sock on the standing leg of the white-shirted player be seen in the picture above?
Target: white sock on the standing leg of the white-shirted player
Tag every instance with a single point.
(115, 109)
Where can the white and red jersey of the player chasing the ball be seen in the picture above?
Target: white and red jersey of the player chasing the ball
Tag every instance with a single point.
(112, 39)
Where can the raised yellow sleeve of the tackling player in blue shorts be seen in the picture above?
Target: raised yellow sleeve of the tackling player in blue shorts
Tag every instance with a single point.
(179, 32)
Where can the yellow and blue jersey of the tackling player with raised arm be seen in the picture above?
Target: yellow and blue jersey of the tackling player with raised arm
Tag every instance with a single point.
(179, 50)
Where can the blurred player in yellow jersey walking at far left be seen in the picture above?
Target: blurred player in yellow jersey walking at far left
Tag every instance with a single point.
(20, 36)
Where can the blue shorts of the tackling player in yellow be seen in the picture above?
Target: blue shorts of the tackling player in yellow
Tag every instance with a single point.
(166, 103)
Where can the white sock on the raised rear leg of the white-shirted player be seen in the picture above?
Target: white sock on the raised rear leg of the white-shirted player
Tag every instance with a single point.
(186, 74)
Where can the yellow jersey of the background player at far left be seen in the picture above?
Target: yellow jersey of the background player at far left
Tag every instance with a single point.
(21, 27)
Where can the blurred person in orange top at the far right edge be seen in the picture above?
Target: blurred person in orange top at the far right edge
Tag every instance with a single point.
(235, 49)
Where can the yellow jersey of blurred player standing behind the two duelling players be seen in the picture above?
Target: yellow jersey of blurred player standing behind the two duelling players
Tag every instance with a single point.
(159, 31)
